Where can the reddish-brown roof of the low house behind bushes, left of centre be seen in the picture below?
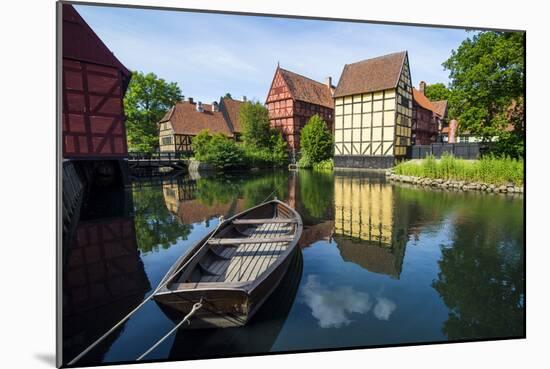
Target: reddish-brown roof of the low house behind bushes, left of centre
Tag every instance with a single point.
(186, 120)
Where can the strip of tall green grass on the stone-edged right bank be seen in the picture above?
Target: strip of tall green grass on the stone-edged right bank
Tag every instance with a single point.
(490, 170)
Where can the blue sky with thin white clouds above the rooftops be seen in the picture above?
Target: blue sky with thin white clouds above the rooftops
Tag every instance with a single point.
(211, 54)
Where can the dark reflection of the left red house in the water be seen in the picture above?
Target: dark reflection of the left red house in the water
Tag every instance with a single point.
(103, 275)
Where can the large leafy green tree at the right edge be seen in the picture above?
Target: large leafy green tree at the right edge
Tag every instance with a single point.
(487, 75)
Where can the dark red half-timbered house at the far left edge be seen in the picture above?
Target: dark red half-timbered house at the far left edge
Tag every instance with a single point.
(93, 85)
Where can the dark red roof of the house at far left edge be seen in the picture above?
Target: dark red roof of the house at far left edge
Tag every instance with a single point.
(81, 43)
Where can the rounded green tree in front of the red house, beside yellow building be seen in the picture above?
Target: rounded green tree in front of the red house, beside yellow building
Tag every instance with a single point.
(316, 140)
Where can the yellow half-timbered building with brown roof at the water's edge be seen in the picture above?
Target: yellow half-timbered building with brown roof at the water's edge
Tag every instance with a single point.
(373, 112)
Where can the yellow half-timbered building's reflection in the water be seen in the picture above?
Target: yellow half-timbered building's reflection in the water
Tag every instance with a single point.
(370, 228)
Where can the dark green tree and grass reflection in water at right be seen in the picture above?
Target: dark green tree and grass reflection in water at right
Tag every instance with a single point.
(481, 274)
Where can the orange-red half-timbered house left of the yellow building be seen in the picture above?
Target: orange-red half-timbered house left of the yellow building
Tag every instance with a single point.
(293, 99)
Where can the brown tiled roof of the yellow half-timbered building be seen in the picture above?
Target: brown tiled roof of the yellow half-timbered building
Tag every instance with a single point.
(371, 75)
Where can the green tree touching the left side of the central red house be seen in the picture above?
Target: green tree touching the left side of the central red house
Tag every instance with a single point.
(254, 120)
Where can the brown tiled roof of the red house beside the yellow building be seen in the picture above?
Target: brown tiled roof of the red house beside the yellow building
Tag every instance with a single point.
(307, 90)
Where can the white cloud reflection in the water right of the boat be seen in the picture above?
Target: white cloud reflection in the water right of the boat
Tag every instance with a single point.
(331, 306)
